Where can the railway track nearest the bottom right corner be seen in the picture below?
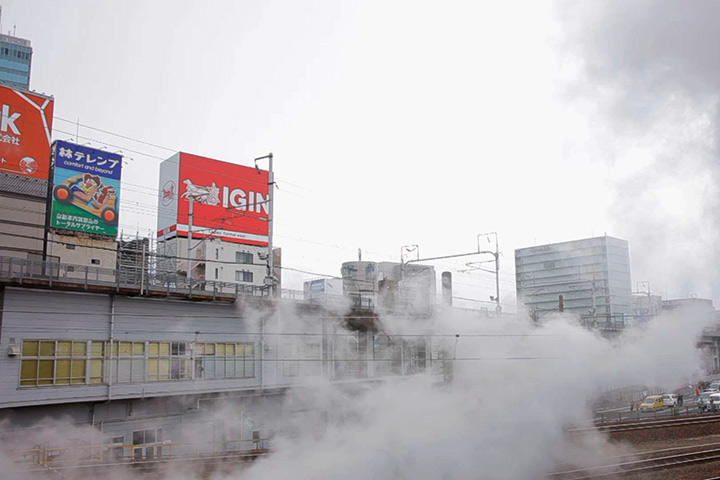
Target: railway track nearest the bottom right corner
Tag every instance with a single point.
(634, 464)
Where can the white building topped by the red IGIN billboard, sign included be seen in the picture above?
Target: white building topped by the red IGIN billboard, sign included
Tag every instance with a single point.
(223, 209)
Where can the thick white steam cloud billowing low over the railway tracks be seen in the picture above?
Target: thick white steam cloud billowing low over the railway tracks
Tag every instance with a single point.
(503, 416)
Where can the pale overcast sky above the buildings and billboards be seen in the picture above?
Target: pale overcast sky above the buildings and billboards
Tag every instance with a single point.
(409, 122)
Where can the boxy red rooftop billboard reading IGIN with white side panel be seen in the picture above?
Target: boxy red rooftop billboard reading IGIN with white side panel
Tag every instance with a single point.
(230, 201)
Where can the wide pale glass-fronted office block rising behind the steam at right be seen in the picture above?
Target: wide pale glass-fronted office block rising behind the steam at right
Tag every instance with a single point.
(592, 275)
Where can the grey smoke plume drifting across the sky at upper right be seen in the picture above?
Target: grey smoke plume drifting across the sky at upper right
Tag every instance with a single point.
(644, 80)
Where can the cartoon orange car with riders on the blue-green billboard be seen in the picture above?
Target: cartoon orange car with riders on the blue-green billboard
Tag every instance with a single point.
(88, 192)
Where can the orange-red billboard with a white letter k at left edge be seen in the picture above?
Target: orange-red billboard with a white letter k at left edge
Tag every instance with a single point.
(25, 130)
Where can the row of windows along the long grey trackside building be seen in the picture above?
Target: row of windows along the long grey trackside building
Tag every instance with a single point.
(90, 362)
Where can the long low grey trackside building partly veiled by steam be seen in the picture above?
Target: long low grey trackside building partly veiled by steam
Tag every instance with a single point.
(91, 375)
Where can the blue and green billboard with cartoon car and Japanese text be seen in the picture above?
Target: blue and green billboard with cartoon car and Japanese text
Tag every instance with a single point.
(86, 189)
